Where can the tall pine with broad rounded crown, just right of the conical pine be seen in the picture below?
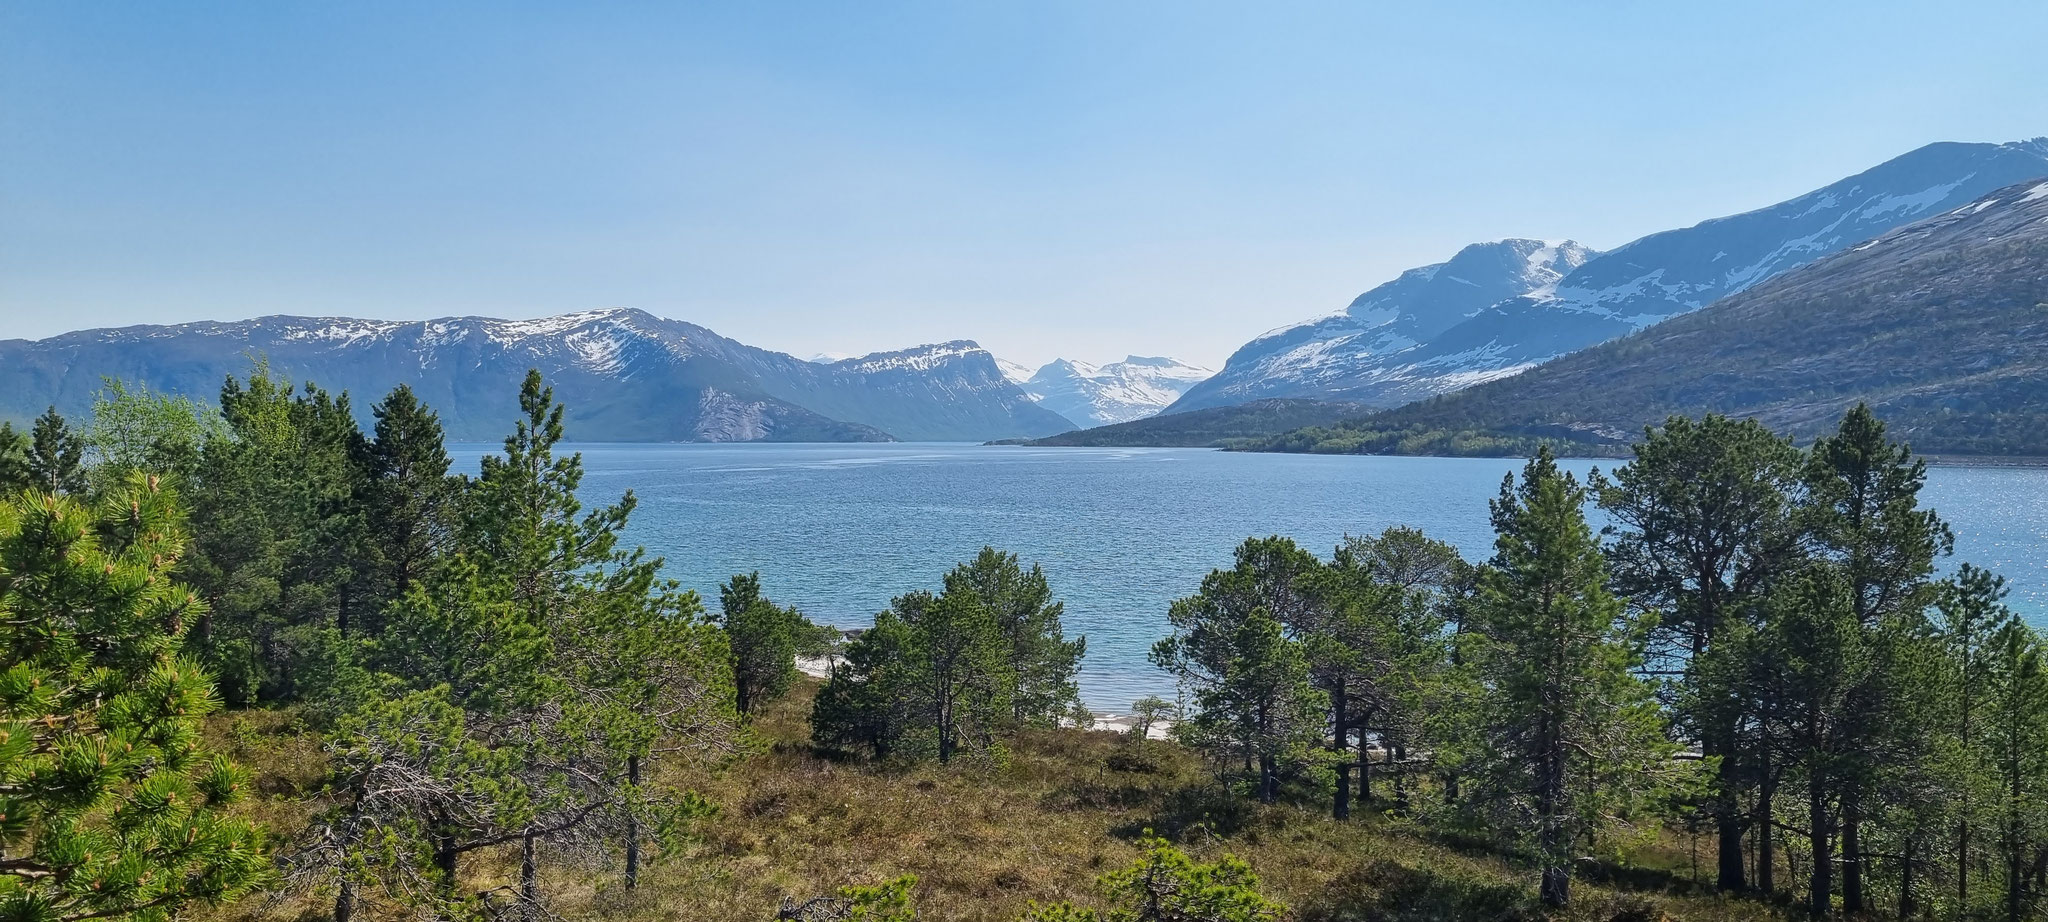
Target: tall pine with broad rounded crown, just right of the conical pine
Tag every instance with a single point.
(1703, 521)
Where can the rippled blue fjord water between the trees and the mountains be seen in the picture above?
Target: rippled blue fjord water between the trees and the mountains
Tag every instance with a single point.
(839, 530)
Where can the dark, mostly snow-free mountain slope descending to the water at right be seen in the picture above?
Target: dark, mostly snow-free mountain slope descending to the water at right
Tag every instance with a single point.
(1943, 327)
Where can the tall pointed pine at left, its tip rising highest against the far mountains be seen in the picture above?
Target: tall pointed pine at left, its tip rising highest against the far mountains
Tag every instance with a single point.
(566, 575)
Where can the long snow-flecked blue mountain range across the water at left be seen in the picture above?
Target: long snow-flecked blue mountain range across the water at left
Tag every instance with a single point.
(624, 376)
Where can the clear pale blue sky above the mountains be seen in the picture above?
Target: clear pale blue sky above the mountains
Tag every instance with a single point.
(1052, 179)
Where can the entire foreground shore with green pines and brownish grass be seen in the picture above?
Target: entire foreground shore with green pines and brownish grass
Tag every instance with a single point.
(267, 663)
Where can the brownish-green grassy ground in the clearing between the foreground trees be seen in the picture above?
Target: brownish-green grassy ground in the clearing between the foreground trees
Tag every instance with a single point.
(984, 843)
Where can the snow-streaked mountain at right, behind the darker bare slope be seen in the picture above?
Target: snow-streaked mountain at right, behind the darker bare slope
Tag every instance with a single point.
(1471, 333)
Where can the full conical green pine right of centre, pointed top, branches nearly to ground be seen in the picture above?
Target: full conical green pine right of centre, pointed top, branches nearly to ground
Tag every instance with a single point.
(1570, 741)
